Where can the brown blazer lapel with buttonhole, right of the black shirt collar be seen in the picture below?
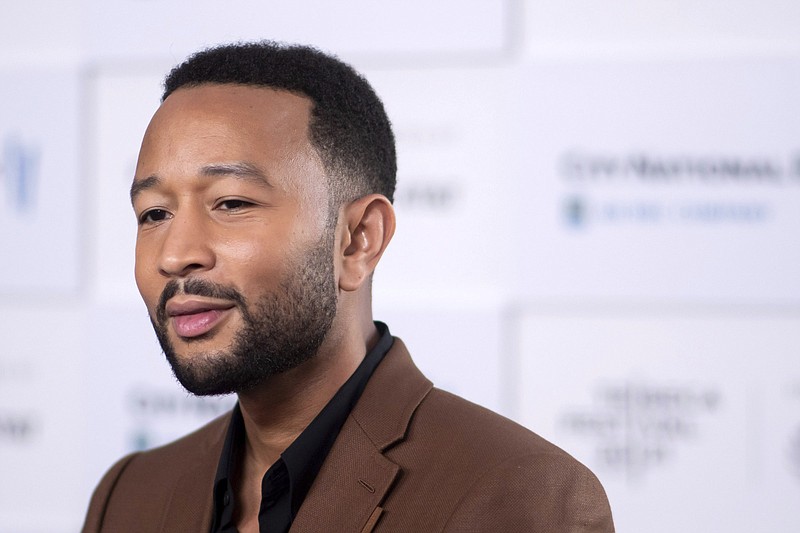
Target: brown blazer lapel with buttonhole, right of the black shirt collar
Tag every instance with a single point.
(356, 476)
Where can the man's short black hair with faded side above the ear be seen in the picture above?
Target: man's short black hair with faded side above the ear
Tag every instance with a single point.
(348, 127)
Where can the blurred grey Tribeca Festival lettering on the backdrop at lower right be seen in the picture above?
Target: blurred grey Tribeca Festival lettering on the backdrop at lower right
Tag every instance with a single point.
(635, 427)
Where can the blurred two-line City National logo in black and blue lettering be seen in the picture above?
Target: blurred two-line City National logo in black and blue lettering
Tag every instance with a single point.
(746, 174)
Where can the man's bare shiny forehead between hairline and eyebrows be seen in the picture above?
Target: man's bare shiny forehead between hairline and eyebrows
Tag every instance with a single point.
(223, 124)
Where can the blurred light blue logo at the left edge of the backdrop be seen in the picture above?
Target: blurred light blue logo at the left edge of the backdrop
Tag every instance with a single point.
(19, 169)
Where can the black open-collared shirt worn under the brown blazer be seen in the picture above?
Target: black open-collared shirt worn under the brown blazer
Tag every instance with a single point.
(286, 483)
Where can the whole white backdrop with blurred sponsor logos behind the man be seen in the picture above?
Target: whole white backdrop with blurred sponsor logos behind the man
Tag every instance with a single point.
(598, 236)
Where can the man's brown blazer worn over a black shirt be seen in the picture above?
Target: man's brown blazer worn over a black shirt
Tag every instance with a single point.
(409, 458)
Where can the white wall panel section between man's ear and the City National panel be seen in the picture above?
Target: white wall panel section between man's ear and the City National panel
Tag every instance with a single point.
(453, 182)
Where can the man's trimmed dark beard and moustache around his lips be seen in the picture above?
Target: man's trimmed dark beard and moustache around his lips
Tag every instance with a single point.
(281, 330)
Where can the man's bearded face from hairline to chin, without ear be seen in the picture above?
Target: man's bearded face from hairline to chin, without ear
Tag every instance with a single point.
(234, 250)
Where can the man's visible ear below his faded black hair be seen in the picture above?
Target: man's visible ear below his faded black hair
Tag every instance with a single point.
(367, 227)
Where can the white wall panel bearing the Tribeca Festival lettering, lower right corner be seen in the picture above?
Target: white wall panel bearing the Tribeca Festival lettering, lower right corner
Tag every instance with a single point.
(680, 413)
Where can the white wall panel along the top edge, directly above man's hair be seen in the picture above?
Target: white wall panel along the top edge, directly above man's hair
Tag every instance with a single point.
(175, 28)
